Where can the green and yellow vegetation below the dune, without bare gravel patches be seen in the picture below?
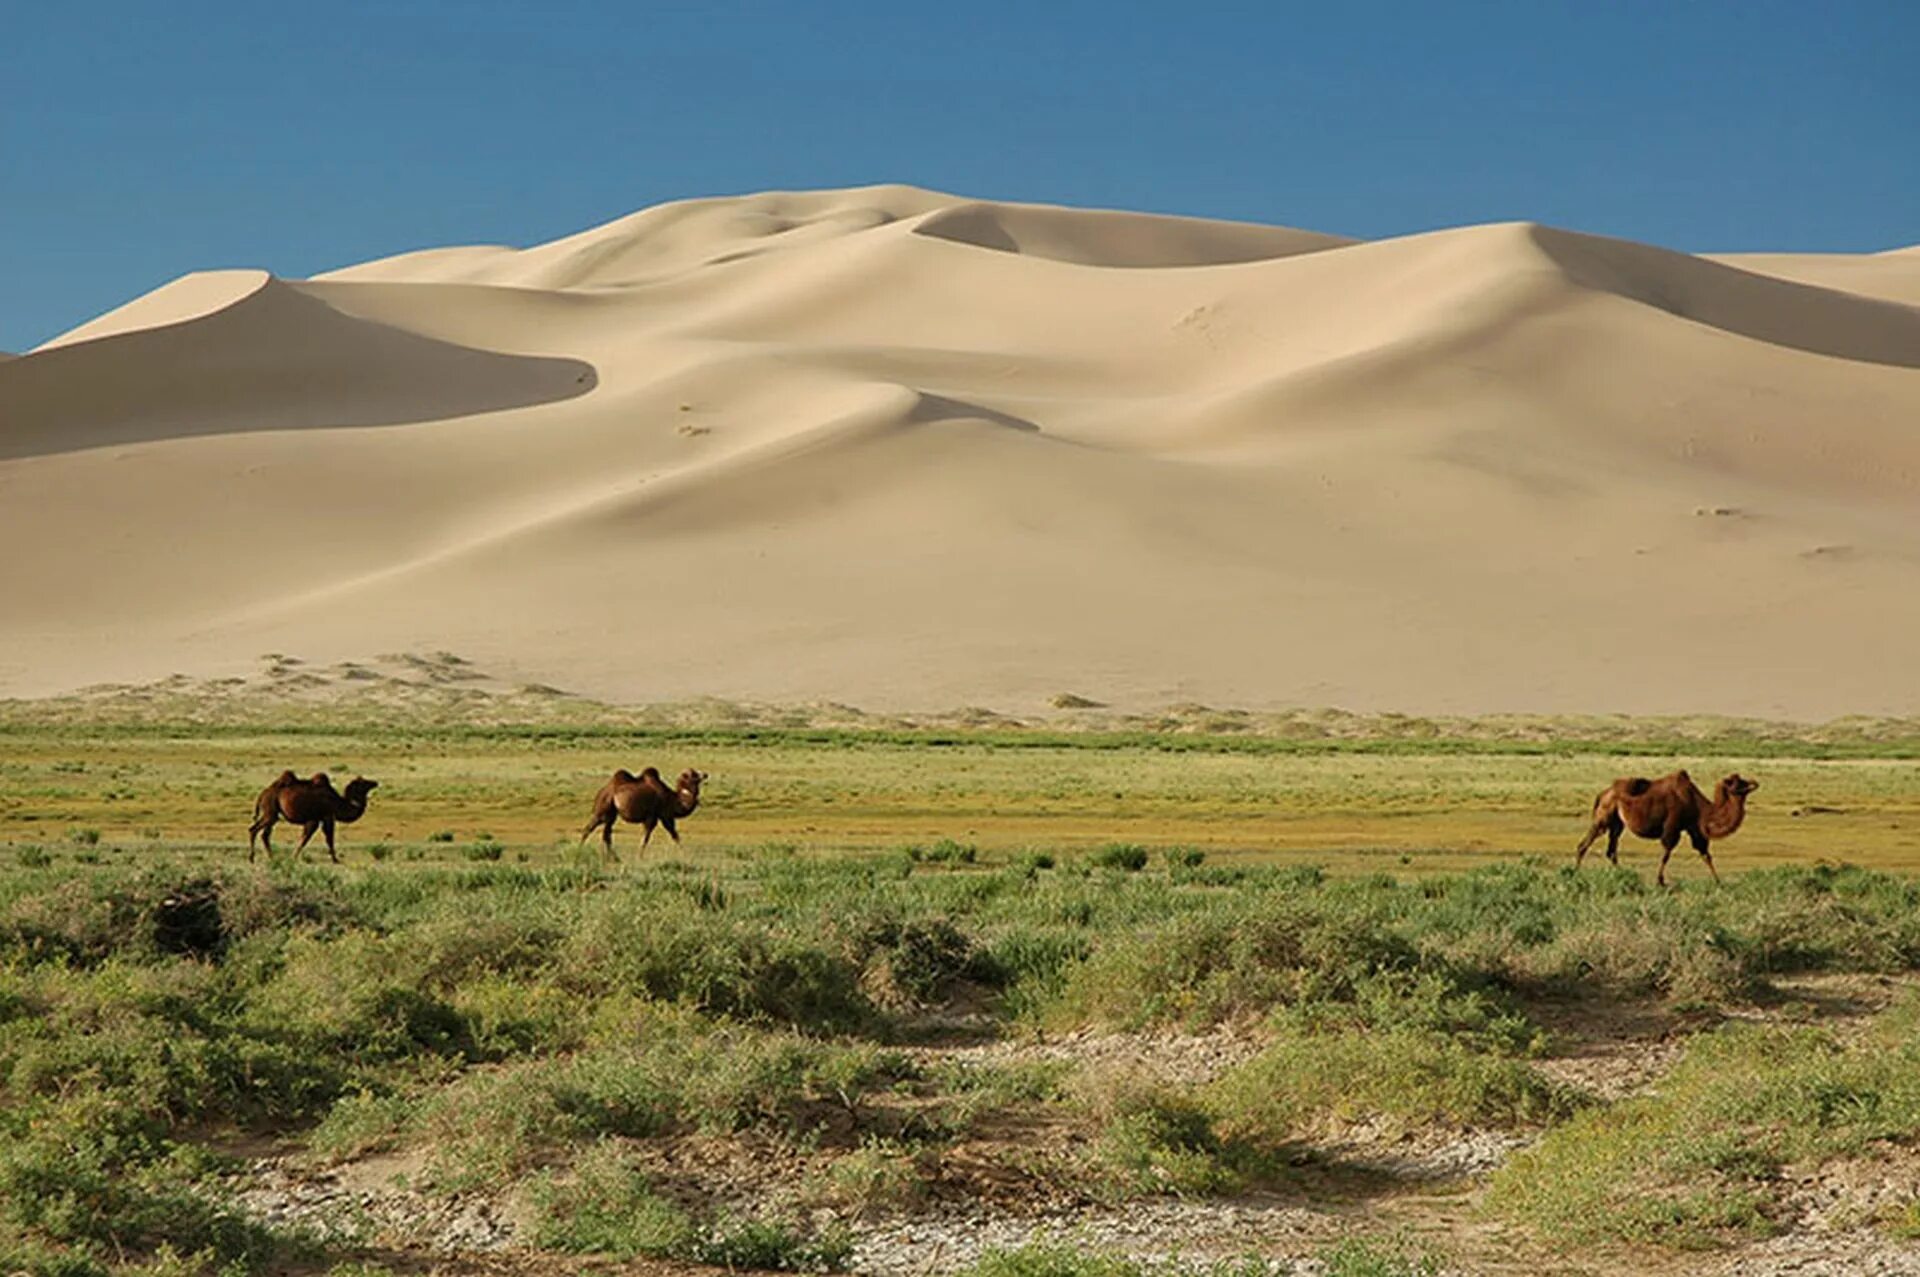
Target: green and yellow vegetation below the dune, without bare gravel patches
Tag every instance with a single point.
(556, 1028)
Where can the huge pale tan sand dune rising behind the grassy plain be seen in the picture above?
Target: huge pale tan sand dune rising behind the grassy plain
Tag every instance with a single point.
(909, 450)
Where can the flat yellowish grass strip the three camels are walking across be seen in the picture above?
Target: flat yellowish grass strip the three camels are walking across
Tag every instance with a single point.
(1349, 811)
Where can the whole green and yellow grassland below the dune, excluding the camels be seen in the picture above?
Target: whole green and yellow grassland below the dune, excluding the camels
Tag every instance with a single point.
(919, 975)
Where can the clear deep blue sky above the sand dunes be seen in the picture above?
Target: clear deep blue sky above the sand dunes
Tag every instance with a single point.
(147, 139)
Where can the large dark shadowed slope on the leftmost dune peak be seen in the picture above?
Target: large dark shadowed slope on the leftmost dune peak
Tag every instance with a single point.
(276, 360)
